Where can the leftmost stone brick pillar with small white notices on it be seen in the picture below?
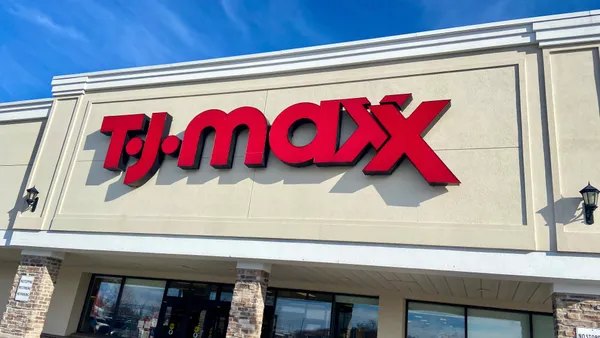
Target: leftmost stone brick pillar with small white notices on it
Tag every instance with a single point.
(28, 303)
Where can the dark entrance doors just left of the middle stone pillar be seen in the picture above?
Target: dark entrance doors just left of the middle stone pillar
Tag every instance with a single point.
(189, 318)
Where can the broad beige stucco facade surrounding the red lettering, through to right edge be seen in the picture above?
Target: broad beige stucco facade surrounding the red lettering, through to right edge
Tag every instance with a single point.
(494, 138)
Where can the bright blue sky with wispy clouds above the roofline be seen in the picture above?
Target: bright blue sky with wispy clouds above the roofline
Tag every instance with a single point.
(43, 38)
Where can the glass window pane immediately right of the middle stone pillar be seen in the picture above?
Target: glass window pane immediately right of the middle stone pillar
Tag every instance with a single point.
(296, 316)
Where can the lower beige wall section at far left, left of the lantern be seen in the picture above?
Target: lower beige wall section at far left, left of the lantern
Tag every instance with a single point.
(18, 142)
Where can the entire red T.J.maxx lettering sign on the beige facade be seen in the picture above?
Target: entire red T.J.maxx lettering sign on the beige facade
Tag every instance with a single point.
(382, 127)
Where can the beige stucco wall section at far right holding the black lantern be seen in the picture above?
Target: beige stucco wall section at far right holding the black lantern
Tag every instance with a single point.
(574, 125)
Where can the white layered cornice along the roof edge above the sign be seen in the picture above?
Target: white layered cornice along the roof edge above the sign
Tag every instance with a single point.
(544, 31)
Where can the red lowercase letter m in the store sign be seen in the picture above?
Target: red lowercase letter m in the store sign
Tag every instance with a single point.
(227, 128)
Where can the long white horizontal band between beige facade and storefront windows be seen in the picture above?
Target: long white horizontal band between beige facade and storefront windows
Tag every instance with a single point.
(526, 266)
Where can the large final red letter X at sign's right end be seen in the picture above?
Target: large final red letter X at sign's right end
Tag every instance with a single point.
(406, 140)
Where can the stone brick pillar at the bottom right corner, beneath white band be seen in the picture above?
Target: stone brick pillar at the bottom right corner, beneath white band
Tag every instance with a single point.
(575, 307)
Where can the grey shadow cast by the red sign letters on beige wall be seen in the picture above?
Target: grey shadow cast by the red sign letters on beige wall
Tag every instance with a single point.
(405, 187)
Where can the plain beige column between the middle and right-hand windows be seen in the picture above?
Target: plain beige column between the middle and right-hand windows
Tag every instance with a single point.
(391, 315)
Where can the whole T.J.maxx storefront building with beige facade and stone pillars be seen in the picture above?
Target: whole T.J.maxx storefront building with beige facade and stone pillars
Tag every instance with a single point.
(423, 186)
